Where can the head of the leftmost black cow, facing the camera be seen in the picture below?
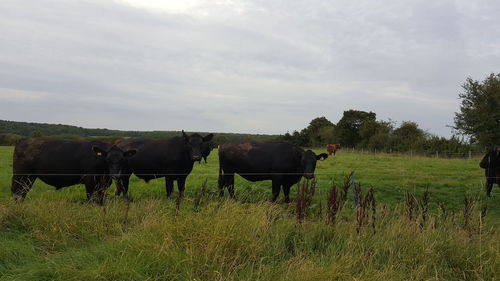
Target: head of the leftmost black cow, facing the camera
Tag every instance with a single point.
(116, 158)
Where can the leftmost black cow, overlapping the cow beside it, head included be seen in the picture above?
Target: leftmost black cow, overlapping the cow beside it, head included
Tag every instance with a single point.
(62, 163)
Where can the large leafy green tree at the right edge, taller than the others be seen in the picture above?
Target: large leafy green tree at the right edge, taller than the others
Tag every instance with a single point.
(479, 116)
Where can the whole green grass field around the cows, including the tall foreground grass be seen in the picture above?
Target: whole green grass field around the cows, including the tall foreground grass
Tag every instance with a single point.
(56, 235)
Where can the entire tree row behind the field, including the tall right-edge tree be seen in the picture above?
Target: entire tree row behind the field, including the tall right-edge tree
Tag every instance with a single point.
(477, 126)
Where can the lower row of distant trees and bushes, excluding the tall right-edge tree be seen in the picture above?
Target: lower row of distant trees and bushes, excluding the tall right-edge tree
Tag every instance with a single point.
(360, 130)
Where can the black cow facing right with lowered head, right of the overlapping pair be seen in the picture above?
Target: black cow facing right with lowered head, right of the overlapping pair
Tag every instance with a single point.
(282, 163)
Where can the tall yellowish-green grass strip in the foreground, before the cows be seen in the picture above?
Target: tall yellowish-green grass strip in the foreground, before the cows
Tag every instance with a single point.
(153, 239)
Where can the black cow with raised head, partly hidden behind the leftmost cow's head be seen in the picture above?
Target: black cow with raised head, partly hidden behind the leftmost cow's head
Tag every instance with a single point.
(171, 158)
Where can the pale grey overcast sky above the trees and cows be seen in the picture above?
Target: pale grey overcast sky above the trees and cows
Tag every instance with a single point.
(260, 66)
